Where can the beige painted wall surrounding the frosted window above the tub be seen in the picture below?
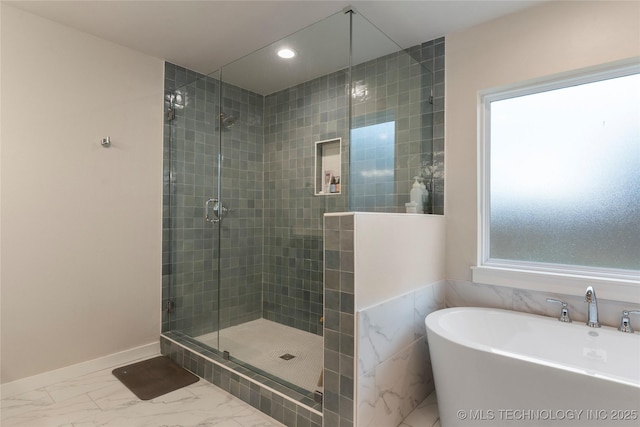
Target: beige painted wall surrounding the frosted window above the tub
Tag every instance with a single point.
(545, 40)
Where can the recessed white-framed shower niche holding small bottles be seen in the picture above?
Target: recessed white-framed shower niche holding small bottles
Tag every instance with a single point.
(328, 166)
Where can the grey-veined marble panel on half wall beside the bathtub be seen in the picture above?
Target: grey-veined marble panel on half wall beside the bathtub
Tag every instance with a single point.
(394, 369)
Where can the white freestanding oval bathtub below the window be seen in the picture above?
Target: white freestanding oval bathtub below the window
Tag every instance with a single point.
(496, 367)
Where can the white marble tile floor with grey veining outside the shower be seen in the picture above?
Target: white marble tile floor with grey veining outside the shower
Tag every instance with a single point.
(99, 399)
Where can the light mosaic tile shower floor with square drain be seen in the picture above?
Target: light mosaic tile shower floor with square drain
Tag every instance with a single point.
(261, 343)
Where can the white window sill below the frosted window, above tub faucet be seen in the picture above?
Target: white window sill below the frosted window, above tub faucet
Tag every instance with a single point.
(607, 288)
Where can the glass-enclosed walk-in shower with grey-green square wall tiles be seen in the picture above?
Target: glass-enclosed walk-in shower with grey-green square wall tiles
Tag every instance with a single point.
(245, 161)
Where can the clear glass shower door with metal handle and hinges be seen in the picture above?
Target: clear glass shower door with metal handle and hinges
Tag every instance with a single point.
(191, 232)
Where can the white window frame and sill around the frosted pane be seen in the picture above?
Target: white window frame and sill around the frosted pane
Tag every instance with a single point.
(622, 285)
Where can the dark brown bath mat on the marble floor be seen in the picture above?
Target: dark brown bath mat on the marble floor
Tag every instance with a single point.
(154, 377)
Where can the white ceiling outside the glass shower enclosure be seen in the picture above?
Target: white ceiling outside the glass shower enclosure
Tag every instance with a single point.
(205, 35)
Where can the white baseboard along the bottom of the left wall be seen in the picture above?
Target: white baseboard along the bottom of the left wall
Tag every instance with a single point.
(58, 375)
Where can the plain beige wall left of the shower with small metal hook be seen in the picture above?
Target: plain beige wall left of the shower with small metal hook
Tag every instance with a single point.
(81, 224)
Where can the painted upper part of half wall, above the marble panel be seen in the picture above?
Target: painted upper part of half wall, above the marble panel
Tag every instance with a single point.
(396, 254)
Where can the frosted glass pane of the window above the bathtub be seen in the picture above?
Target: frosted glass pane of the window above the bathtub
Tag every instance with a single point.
(564, 175)
